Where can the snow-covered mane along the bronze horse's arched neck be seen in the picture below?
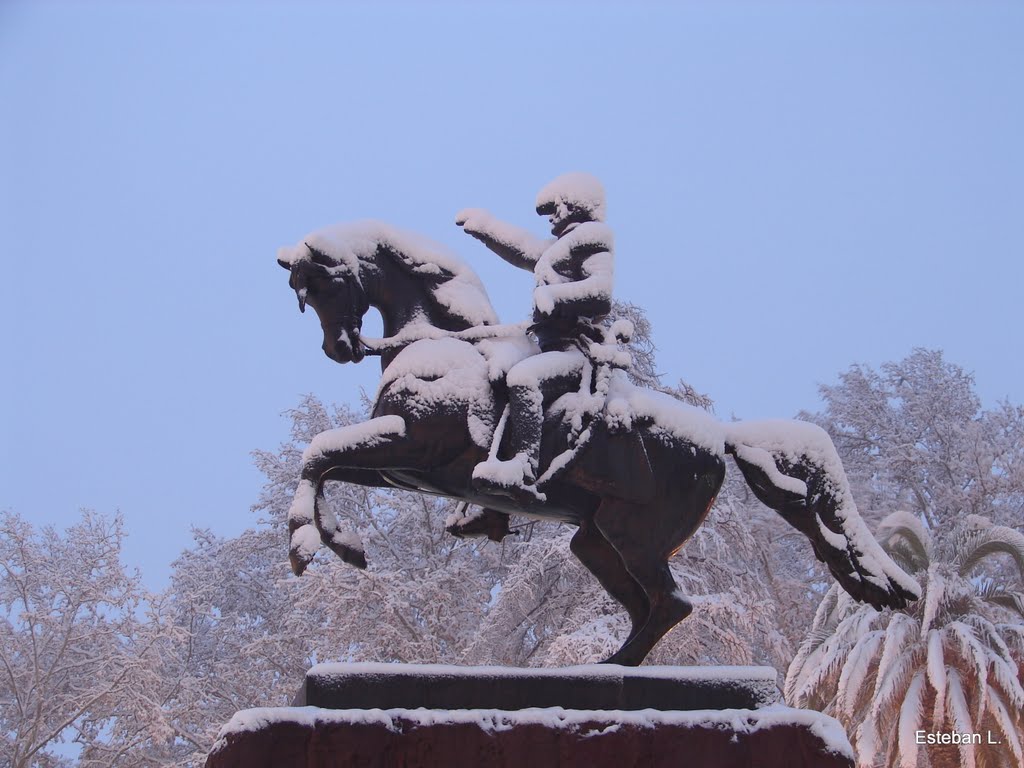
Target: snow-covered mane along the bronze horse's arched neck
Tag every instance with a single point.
(453, 286)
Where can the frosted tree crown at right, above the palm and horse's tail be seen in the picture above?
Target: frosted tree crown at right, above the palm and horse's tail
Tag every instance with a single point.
(914, 436)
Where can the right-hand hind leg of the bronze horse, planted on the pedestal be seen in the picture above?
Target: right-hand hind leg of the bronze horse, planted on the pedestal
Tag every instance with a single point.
(644, 553)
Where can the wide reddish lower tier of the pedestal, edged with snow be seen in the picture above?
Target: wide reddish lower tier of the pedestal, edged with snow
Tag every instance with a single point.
(311, 738)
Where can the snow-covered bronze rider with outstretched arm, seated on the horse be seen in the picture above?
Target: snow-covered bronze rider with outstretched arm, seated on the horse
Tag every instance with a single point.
(574, 275)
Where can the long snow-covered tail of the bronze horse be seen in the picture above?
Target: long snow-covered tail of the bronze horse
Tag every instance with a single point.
(794, 468)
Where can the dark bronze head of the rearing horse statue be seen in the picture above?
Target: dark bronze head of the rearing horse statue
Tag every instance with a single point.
(332, 287)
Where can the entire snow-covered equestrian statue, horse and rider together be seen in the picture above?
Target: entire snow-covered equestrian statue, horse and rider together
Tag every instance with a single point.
(547, 424)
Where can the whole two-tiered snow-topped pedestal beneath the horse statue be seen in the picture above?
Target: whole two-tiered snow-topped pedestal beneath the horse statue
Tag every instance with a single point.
(397, 715)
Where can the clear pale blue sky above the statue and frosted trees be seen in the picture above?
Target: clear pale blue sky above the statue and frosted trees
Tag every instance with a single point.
(794, 188)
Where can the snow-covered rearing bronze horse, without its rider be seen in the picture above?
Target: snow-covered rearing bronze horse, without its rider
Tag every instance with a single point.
(643, 468)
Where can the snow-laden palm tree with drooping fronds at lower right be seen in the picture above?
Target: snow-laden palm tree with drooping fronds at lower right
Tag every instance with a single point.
(951, 663)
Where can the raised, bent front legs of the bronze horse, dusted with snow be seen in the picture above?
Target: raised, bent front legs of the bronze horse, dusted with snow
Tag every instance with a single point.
(353, 454)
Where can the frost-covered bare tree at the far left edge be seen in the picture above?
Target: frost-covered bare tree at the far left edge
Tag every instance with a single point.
(80, 647)
